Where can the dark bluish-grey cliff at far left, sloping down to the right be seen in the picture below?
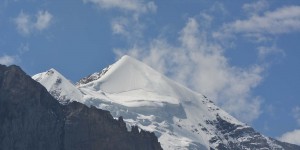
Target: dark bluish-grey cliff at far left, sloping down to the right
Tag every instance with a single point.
(29, 117)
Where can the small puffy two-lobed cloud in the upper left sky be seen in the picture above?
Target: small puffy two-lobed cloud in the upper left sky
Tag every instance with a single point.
(25, 24)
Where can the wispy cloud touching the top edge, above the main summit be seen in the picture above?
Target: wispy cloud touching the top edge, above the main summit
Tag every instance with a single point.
(127, 23)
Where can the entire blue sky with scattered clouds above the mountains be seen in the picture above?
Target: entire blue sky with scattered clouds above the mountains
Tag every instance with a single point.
(242, 54)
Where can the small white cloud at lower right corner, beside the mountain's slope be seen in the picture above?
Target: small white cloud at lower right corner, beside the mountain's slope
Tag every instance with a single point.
(291, 137)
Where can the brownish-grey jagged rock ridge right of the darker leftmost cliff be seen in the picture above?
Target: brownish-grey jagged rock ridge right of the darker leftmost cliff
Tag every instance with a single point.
(95, 129)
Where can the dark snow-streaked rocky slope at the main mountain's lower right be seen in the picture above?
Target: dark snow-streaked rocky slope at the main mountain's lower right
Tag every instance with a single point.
(232, 131)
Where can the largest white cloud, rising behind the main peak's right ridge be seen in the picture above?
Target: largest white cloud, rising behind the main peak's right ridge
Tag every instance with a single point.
(200, 64)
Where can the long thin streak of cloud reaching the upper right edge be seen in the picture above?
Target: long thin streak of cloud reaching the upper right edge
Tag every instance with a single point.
(282, 20)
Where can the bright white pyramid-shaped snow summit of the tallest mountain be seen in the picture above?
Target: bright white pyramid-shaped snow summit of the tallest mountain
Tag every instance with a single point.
(132, 83)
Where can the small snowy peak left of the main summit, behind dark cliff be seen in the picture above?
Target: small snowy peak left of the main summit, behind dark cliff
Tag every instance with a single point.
(59, 87)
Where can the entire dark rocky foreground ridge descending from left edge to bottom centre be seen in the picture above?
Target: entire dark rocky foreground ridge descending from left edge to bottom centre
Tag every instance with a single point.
(31, 119)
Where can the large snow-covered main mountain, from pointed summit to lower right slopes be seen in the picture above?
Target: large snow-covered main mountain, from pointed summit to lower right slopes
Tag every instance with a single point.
(180, 117)
